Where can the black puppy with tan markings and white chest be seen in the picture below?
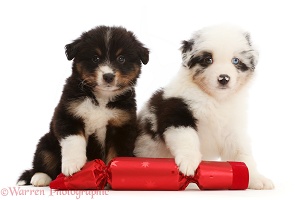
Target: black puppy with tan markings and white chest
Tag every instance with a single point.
(96, 115)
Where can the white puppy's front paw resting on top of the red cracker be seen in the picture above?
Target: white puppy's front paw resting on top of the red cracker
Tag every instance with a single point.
(188, 164)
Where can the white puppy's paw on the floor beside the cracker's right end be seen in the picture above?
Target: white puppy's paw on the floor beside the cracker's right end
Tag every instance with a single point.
(259, 182)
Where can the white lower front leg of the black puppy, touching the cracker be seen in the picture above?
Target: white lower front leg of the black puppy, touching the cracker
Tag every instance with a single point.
(73, 150)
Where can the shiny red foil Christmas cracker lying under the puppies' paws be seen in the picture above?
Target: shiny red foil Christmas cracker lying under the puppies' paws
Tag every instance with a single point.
(127, 173)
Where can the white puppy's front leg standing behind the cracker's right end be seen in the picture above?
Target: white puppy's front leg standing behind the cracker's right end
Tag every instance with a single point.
(237, 148)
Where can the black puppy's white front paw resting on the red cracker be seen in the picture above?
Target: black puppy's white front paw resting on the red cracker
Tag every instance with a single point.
(73, 165)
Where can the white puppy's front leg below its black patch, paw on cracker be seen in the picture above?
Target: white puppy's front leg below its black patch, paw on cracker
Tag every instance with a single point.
(184, 145)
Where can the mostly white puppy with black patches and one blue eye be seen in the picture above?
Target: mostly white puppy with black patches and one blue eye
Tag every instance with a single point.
(201, 113)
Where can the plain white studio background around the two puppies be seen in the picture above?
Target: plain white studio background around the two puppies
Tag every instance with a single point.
(33, 68)
